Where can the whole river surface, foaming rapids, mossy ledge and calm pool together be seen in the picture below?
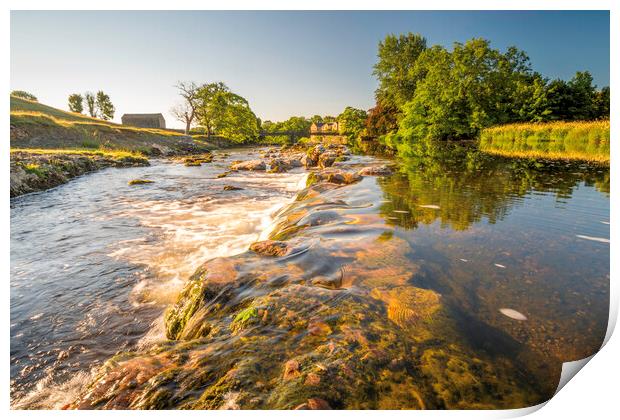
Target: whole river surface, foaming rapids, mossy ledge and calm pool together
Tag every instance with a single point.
(462, 280)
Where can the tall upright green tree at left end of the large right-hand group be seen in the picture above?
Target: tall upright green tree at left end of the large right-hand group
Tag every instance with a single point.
(395, 68)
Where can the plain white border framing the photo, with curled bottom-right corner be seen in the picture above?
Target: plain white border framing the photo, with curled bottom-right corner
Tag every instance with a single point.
(592, 395)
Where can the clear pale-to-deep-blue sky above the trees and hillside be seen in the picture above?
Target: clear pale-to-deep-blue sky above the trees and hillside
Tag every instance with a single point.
(284, 63)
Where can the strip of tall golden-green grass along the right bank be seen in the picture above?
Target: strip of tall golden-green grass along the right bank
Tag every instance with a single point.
(578, 140)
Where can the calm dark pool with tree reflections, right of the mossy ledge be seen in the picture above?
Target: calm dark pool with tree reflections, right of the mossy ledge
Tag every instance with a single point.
(509, 240)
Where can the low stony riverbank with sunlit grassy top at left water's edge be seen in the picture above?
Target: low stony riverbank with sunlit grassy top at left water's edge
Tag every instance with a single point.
(41, 169)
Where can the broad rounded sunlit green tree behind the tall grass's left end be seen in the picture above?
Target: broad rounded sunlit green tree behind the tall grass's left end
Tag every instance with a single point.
(465, 90)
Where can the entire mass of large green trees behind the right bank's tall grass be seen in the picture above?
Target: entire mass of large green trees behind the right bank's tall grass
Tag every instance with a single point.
(435, 93)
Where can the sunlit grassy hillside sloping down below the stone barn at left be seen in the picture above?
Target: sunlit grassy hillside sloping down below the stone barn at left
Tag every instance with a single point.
(35, 125)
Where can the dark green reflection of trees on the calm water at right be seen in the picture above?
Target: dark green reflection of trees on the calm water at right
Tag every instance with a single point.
(459, 186)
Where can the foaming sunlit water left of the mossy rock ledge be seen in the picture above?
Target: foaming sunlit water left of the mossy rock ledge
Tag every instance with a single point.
(94, 262)
